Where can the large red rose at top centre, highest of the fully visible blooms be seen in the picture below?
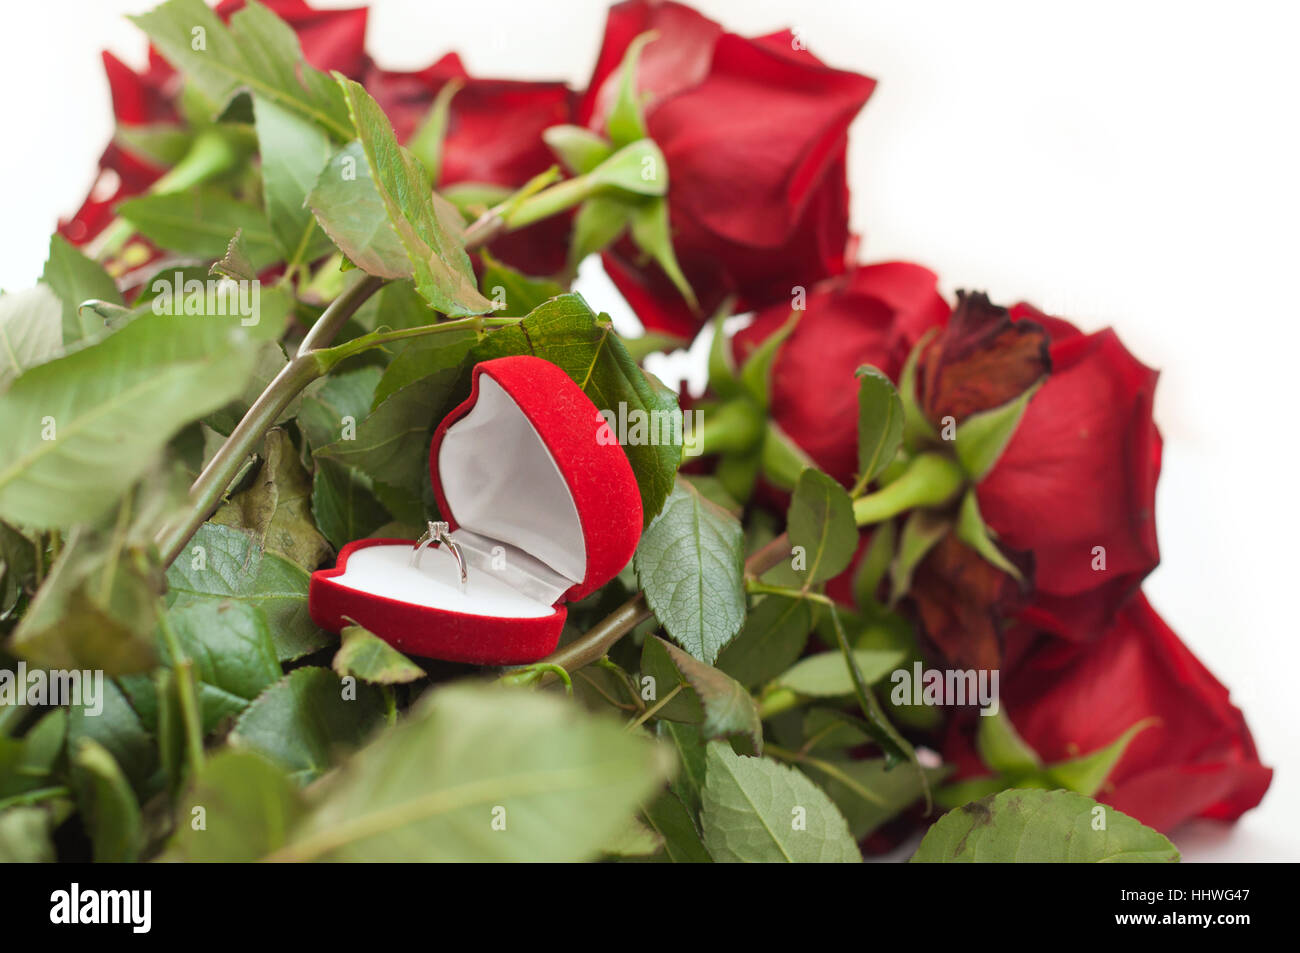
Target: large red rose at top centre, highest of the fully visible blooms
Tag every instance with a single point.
(755, 135)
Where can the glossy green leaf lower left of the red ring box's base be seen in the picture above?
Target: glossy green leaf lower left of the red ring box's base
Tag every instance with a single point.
(233, 655)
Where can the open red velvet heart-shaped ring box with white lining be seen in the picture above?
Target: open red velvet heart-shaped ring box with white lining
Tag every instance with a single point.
(541, 501)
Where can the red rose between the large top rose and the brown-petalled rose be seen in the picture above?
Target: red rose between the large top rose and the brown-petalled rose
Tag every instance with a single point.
(872, 315)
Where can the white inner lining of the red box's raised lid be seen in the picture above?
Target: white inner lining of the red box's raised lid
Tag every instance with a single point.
(526, 504)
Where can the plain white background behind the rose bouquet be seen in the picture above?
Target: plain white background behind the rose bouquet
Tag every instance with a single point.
(1115, 163)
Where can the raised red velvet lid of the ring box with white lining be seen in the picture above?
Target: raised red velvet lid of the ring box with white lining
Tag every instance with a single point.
(528, 465)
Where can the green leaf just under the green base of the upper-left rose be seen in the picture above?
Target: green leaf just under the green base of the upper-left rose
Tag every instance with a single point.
(201, 223)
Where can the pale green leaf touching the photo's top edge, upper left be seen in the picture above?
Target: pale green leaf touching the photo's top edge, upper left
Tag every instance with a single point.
(258, 54)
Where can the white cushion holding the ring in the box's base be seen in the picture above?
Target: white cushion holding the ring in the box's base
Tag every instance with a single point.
(387, 571)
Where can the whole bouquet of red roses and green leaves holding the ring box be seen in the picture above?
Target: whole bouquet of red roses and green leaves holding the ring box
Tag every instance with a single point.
(881, 584)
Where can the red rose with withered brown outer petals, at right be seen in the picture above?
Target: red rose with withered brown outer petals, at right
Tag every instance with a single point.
(1072, 499)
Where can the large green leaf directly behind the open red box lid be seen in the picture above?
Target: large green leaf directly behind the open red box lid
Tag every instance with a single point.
(567, 333)
